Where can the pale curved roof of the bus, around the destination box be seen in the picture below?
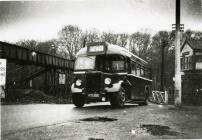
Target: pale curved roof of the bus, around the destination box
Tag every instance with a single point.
(111, 49)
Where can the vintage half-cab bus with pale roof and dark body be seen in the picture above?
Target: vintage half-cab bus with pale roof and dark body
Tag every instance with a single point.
(106, 72)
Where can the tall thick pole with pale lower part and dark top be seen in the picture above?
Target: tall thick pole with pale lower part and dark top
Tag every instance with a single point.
(178, 92)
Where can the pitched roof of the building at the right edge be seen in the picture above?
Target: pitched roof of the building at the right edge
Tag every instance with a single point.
(194, 44)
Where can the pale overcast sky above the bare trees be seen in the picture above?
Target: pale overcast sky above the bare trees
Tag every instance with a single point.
(41, 20)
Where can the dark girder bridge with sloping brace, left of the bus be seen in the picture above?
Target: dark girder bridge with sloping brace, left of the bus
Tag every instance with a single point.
(27, 68)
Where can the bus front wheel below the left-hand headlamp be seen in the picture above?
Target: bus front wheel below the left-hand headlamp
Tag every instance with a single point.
(78, 100)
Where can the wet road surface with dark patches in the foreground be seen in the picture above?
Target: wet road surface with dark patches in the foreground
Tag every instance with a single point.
(99, 121)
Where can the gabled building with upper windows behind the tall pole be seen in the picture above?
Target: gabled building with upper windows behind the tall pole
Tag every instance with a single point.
(191, 67)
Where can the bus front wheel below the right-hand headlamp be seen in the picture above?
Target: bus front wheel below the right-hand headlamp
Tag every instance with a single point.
(118, 99)
